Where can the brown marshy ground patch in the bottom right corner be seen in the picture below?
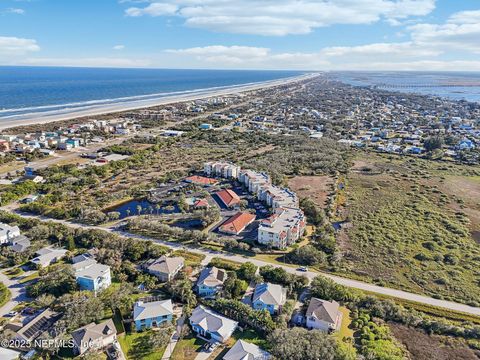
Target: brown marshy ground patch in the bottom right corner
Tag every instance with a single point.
(425, 347)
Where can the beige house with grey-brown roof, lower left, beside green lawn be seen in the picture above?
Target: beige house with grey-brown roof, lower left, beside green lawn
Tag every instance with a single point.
(94, 336)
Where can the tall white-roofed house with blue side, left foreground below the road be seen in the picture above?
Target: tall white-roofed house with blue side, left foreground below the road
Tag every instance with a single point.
(92, 276)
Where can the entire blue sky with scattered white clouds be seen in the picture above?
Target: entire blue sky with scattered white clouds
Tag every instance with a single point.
(248, 34)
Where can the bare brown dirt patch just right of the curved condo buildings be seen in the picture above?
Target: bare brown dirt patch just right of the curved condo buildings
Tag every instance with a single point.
(316, 188)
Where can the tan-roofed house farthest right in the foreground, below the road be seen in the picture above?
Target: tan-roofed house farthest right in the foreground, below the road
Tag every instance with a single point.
(323, 315)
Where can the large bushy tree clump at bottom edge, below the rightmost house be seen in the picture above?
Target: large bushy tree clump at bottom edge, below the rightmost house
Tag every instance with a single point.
(301, 344)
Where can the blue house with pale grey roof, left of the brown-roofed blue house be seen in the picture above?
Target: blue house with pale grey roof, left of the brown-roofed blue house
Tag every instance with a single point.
(148, 314)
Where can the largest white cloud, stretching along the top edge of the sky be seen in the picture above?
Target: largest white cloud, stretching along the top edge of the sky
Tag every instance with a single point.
(281, 17)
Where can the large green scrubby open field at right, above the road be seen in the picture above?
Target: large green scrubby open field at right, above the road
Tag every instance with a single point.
(411, 228)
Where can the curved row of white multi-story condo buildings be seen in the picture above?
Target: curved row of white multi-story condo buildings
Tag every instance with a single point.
(287, 223)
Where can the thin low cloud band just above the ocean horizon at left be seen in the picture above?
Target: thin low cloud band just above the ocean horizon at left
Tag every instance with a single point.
(88, 62)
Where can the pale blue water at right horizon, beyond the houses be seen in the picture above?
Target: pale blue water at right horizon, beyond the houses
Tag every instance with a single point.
(451, 85)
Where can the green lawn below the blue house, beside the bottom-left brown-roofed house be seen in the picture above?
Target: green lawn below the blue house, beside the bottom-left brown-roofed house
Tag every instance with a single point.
(135, 346)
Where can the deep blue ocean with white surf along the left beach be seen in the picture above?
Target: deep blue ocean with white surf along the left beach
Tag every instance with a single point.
(30, 90)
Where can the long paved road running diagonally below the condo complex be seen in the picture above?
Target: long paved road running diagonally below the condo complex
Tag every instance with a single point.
(290, 269)
